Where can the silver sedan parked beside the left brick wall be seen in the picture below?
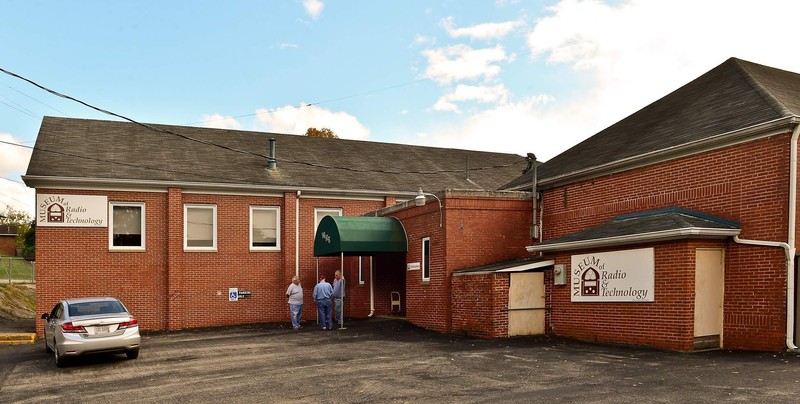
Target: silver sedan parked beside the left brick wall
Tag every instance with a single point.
(90, 325)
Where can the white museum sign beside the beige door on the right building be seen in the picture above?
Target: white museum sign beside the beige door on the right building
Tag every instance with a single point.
(620, 276)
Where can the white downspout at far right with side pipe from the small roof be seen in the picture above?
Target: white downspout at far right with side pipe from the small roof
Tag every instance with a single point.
(789, 245)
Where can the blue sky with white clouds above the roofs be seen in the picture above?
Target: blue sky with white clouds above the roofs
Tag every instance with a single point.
(507, 76)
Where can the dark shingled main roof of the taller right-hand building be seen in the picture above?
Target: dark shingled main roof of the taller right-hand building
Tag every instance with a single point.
(736, 94)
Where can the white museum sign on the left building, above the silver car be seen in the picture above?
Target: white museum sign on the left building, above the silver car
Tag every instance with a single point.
(71, 210)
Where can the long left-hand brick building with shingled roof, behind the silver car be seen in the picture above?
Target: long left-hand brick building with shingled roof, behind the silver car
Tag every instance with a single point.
(171, 219)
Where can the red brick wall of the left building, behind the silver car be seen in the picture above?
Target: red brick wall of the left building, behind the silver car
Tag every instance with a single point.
(168, 288)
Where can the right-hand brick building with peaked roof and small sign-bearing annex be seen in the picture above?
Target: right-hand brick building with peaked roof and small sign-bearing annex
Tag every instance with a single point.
(693, 199)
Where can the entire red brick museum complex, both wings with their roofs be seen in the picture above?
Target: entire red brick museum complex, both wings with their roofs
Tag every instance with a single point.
(673, 228)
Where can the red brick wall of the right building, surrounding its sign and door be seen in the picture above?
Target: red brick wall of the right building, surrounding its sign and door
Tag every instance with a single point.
(747, 183)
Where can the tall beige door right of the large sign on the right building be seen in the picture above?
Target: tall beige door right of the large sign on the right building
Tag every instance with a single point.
(709, 289)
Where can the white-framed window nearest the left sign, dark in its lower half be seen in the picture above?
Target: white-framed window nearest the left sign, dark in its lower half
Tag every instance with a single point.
(126, 226)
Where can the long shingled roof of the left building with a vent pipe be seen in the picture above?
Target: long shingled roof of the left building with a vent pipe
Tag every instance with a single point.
(96, 149)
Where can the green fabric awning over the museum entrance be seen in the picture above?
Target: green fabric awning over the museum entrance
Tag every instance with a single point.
(359, 235)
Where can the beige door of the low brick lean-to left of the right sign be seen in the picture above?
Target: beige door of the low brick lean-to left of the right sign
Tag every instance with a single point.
(526, 307)
